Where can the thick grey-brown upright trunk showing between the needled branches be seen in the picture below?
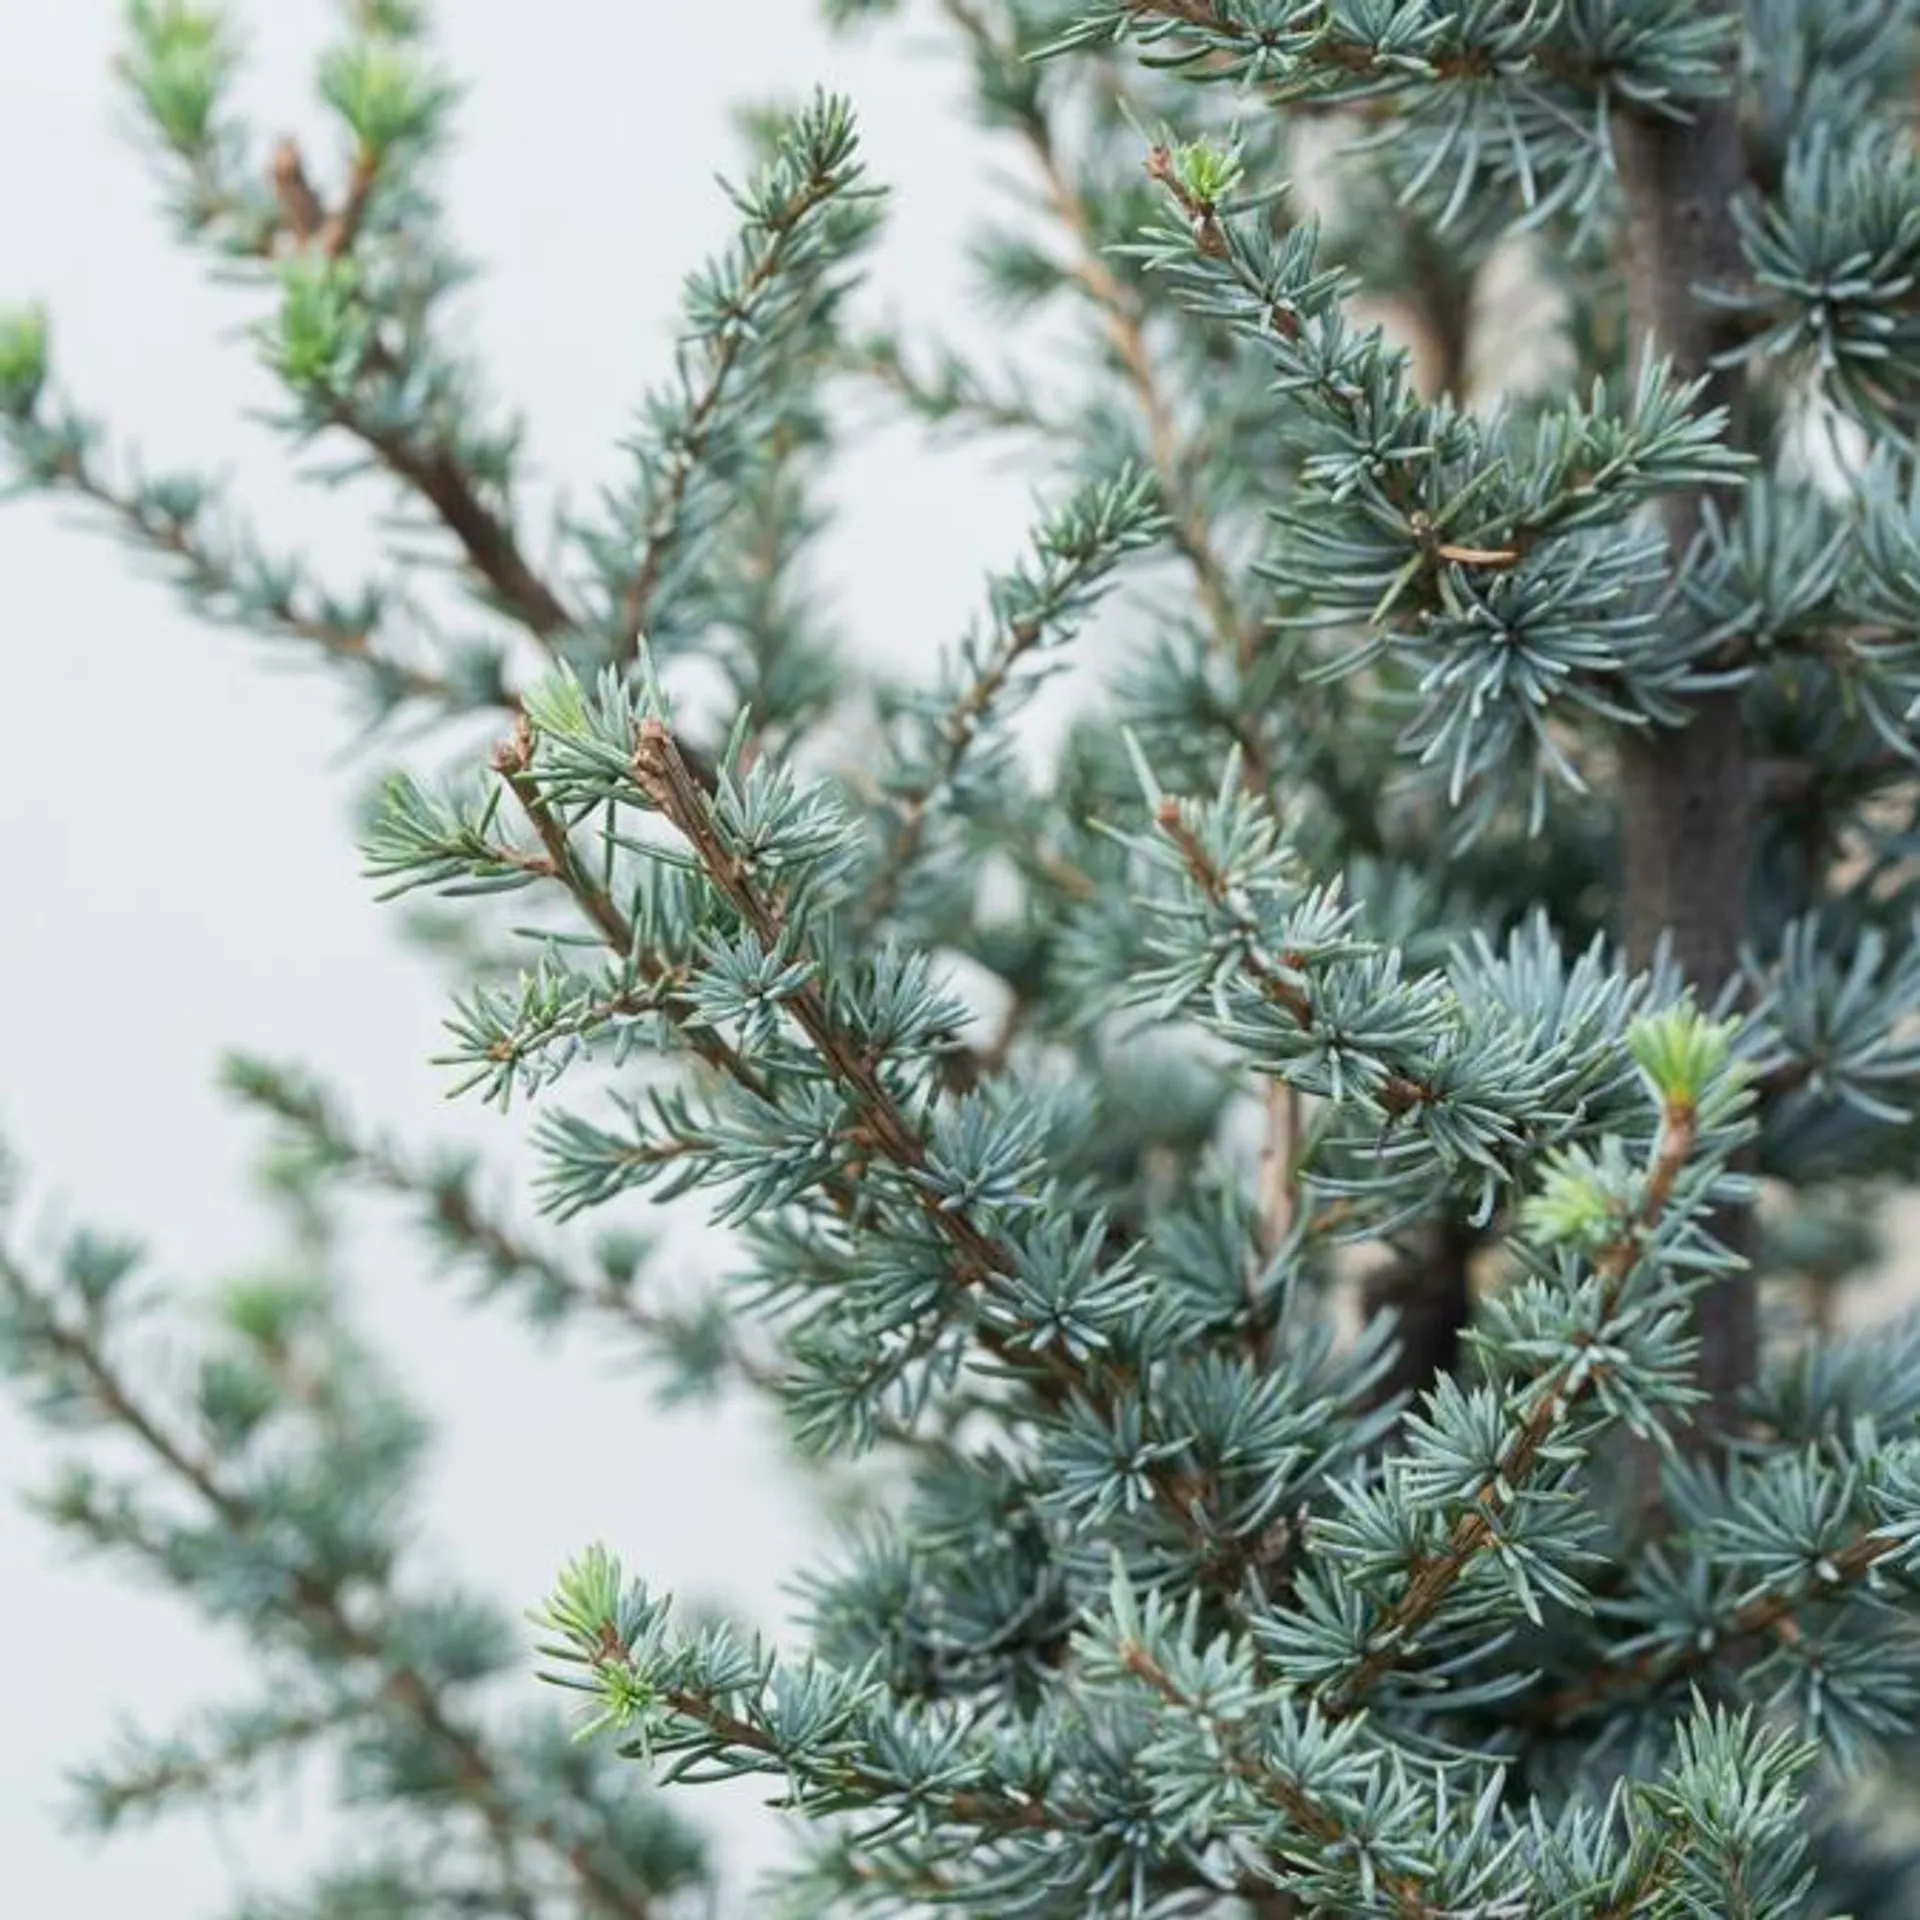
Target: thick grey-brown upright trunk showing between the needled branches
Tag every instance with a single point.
(1687, 794)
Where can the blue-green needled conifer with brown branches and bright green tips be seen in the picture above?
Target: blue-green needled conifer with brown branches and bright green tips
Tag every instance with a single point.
(1063, 1103)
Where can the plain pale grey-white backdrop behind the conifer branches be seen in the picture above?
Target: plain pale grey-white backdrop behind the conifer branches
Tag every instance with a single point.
(176, 811)
